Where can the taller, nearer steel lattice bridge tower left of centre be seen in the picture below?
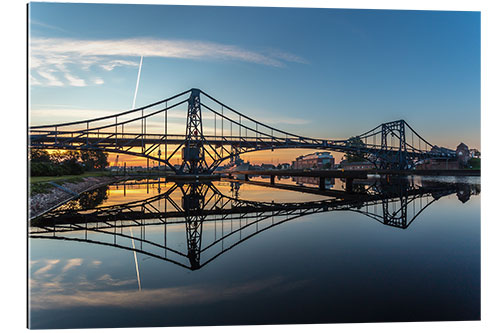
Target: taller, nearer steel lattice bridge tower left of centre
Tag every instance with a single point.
(193, 153)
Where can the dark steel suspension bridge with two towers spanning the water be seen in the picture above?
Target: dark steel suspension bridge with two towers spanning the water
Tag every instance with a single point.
(215, 132)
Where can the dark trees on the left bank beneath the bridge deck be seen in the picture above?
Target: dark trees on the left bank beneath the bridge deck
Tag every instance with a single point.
(43, 163)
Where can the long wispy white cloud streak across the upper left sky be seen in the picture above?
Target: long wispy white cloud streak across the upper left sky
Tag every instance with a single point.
(51, 58)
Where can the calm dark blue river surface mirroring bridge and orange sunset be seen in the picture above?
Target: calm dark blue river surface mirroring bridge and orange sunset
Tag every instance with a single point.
(223, 253)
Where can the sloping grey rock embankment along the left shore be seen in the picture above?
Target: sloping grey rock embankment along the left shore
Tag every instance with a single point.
(43, 202)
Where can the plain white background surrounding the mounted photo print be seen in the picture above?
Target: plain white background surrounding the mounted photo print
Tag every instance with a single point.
(13, 129)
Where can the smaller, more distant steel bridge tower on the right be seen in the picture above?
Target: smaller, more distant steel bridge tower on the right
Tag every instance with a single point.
(395, 129)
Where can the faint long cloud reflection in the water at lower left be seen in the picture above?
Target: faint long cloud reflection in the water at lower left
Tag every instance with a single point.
(130, 298)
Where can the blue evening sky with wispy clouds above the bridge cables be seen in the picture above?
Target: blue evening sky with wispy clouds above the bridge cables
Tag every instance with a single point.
(316, 72)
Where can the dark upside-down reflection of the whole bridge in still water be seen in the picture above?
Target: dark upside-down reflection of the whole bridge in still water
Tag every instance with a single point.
(228, 220)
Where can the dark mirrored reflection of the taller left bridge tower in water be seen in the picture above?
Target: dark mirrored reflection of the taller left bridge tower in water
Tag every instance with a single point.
(193, 203)
